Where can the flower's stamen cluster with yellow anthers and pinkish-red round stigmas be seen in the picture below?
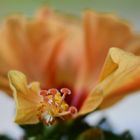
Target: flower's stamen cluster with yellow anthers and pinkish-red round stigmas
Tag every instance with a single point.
(54, 107)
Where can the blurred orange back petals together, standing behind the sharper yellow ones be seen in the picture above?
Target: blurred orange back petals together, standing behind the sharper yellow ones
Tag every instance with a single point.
(39, 37)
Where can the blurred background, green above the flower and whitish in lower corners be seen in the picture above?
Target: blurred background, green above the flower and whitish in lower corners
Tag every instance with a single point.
(123, 116)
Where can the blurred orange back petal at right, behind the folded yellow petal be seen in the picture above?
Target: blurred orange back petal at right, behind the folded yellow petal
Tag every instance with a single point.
(103, 31)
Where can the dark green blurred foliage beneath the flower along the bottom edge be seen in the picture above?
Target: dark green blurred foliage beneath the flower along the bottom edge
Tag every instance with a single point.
(74, 130)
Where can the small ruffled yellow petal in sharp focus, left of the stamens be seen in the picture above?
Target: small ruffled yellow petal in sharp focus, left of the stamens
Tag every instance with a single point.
(26, 96)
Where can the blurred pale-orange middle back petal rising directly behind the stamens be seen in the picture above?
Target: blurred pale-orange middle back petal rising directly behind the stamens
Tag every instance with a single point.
(67, 50)
